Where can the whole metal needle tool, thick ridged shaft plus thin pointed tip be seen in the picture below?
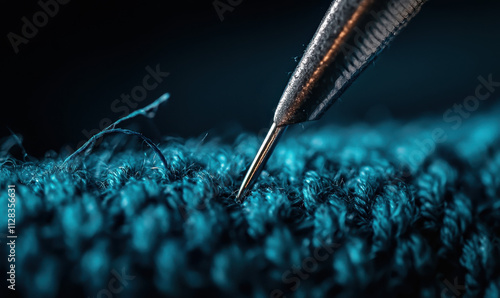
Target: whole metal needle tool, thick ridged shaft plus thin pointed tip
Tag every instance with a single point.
(349, 38)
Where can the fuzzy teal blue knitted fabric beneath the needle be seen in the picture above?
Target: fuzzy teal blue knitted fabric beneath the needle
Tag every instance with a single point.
(357, 211)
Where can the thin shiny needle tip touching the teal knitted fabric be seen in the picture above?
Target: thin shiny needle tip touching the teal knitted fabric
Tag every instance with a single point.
(261, 158)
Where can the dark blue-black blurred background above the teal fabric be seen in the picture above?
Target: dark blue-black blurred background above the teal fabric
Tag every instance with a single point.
(224, 74)
